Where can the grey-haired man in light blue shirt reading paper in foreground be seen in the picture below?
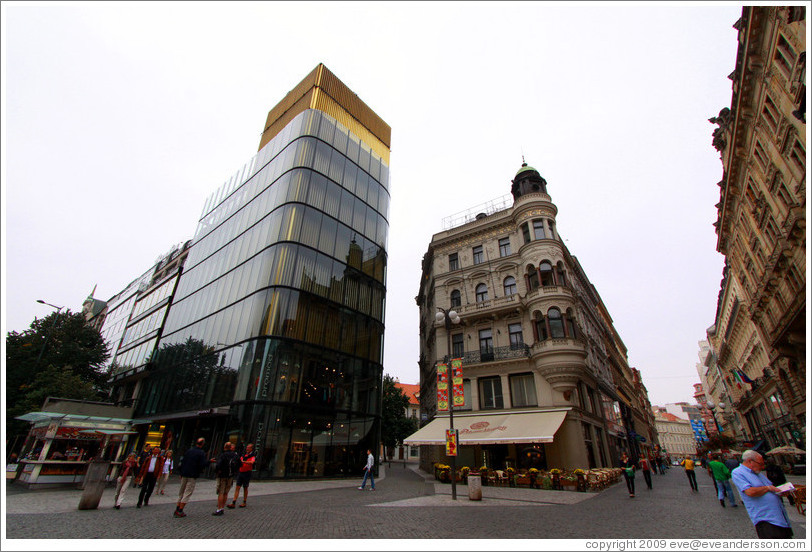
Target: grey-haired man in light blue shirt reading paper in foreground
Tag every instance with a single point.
(761, 498)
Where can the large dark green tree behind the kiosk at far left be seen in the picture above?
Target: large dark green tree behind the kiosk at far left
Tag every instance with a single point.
(58, 356)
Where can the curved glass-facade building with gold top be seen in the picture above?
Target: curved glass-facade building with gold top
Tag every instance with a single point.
(275, 334)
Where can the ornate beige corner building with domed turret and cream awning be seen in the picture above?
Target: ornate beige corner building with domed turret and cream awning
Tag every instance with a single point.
(545, 374)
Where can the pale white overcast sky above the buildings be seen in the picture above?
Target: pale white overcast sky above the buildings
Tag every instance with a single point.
(120, 119)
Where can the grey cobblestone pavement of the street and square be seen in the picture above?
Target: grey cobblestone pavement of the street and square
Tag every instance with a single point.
(405, 505)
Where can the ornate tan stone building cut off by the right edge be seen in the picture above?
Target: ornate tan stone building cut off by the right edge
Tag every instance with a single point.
(759, 335)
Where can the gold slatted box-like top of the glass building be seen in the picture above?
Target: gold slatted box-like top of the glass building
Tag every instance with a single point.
(322, 90)
